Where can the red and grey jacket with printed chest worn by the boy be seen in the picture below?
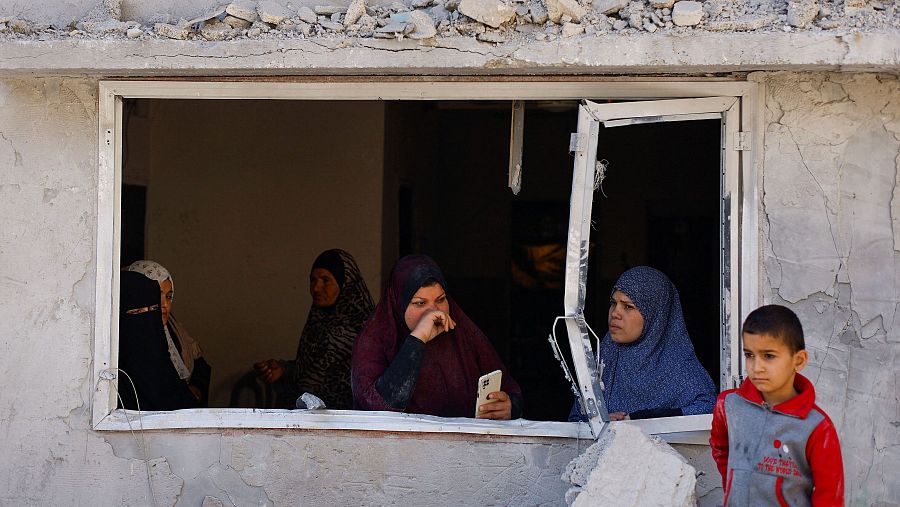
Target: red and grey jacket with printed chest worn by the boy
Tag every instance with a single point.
(788, 454)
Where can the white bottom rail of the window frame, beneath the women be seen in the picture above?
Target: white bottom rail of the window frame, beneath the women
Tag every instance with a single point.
(684, 429)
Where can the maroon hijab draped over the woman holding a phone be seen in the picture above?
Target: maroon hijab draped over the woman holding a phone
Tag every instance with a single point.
(453, 360)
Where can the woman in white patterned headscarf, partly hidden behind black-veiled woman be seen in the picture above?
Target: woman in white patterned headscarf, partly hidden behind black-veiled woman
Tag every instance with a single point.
(184, 351)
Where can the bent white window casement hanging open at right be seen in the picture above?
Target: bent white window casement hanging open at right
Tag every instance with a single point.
(586, 149)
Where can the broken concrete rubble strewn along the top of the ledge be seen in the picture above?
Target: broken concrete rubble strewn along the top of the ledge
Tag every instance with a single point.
(490, 21)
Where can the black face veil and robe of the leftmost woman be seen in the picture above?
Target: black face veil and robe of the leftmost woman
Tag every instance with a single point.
(143, 352)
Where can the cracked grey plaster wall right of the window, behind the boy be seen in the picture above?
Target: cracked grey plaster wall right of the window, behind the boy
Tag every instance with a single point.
(832, 253)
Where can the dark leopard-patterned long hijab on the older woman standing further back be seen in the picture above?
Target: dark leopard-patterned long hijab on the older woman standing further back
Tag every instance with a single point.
(326, 342)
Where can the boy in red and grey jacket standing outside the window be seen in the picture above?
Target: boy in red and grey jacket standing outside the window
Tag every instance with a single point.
(773, 445)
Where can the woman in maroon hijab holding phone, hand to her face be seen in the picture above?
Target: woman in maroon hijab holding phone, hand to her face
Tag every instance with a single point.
(420, 353)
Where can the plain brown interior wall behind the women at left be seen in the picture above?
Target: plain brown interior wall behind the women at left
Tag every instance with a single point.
(242, 198)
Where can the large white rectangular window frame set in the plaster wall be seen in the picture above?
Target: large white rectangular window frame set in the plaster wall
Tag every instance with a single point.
(741, 167)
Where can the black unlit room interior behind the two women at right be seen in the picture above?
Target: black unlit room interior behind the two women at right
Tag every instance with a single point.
(503, 254)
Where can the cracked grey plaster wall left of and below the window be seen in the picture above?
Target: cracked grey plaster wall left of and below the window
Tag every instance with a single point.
(48, 198)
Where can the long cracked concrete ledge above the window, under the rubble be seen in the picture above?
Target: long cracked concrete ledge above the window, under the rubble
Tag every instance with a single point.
(610, 54)
